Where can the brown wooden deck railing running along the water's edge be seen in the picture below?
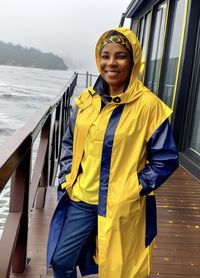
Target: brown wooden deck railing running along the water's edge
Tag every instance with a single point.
(29, 184)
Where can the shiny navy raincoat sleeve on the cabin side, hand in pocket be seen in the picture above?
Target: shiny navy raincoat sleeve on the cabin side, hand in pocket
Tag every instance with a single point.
(162, 156)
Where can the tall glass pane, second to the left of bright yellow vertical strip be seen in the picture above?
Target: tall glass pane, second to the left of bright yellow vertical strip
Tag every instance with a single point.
(154, 66)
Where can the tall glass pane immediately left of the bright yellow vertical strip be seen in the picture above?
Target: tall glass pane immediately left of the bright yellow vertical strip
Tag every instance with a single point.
(172, 60)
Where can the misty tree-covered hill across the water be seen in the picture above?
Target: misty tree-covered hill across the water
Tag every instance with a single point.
(16, 55)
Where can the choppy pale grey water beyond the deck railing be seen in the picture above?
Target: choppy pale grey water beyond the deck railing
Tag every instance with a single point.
(22, 92)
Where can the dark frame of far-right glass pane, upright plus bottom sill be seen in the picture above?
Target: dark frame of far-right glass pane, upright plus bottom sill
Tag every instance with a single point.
(185, 96)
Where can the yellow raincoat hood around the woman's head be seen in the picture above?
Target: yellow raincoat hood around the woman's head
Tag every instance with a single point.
(136, 52)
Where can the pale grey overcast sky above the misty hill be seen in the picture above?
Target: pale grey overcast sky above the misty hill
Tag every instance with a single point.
(68, 28)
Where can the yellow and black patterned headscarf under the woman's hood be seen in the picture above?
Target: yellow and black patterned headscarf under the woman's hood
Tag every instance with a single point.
(116, 37)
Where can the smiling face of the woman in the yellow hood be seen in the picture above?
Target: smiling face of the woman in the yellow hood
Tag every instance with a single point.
(115, 66)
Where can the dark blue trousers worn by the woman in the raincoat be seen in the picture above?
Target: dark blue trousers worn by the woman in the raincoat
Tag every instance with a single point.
(80, 223)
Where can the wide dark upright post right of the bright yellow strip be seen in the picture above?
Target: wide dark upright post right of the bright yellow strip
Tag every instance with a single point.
(181, 111)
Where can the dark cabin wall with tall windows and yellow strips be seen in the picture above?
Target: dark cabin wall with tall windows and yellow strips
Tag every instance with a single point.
(169, 32)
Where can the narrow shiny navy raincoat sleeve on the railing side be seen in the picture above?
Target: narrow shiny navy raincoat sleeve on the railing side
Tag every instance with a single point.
(67, 151)
